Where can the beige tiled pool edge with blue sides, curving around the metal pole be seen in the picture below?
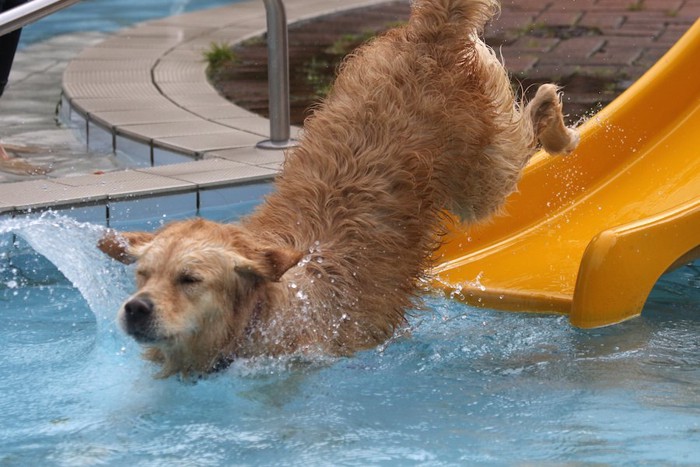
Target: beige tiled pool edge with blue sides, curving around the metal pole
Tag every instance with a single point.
(144, 92)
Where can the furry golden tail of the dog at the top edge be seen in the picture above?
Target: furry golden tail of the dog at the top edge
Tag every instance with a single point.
(438, 20)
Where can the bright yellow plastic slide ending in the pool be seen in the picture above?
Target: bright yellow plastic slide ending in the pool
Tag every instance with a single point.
(589, 234)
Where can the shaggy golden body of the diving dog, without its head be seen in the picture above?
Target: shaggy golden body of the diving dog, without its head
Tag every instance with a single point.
(419, 120)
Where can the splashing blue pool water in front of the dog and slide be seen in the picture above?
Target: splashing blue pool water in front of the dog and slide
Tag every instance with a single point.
(470, 386)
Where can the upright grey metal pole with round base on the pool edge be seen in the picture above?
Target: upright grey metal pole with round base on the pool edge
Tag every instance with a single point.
(278, 77)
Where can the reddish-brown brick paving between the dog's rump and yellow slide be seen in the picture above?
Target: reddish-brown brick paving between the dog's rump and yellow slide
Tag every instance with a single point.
(594, 48)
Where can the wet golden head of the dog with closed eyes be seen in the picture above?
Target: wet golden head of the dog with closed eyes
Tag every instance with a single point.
(199, 284)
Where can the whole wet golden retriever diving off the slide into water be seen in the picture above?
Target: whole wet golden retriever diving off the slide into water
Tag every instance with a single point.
(419, 121)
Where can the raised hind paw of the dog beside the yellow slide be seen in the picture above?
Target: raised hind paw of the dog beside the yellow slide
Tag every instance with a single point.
(548, 122)
